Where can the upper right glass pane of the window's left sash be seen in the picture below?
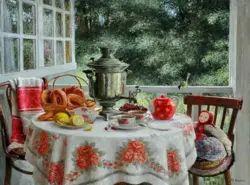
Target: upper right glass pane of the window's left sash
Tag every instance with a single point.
(29, 19)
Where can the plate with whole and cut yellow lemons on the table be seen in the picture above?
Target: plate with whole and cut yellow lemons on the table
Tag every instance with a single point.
(71, 122)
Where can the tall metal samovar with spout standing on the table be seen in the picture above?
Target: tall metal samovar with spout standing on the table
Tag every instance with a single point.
(107, 81)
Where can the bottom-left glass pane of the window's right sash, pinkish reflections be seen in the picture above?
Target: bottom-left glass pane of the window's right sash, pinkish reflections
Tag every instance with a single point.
(48, 53)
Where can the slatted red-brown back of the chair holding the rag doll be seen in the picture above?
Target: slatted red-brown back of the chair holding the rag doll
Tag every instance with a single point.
(225, 110)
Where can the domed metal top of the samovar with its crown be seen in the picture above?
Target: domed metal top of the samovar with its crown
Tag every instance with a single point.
(107, 62)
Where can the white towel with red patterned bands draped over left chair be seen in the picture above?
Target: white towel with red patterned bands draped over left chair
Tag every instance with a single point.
(26, 101)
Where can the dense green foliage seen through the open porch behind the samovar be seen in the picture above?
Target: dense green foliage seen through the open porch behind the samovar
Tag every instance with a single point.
(162, 40)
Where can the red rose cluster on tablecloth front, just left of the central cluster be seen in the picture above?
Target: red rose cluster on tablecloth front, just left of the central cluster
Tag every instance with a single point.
(87, 157)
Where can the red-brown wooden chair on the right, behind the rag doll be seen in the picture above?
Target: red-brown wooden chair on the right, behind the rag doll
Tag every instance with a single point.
(226, 104)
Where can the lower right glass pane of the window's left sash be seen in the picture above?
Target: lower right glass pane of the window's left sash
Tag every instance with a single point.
(29, 54)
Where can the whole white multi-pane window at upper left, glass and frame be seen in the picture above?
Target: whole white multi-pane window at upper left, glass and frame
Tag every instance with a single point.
(36, 37)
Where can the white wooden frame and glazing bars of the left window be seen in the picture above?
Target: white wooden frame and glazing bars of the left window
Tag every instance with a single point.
(40, 70)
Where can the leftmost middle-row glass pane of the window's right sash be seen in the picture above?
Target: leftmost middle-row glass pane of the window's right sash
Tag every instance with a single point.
(48, 23)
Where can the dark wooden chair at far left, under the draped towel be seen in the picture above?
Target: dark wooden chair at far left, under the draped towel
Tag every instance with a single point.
(10, 157)
